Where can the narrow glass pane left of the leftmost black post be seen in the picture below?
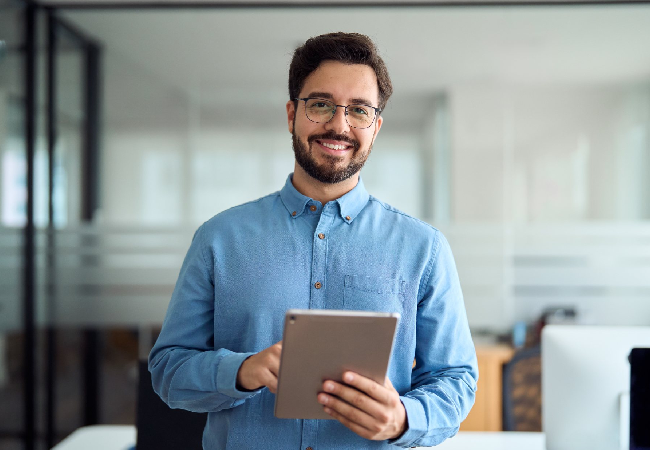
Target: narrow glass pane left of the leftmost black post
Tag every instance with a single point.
(13, 179)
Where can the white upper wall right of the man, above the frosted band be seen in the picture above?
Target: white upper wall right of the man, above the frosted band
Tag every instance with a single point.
(550, 153)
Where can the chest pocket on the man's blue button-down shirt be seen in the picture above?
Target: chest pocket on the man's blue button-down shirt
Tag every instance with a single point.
(367, 293)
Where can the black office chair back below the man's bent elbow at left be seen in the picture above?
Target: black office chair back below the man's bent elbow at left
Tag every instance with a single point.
(159, 426)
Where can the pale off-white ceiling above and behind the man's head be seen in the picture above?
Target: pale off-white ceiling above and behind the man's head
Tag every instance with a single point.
(216, 61)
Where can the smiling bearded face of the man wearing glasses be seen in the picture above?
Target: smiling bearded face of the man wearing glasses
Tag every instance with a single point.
(334, 151)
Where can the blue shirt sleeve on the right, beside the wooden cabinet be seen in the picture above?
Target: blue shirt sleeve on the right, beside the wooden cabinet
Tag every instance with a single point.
(443, 382)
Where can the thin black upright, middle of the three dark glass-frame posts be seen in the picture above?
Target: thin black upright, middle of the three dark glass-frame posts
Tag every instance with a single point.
(50, 369)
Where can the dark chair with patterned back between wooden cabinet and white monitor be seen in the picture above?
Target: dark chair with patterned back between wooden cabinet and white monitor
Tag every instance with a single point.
(522, 391)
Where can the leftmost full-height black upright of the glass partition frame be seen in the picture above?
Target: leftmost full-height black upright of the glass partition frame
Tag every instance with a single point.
(29, 351)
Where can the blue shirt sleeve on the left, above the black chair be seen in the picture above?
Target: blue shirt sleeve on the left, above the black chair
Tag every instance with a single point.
(186, 370)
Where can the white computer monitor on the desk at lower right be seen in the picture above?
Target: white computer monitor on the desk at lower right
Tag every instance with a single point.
(585, 380)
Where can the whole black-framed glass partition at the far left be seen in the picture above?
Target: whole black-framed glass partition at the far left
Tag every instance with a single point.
(48, 146)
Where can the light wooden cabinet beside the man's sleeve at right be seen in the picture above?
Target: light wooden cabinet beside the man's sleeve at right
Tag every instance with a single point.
(487, 413)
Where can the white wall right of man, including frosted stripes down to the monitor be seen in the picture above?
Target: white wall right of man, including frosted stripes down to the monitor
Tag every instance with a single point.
(550, 200)
